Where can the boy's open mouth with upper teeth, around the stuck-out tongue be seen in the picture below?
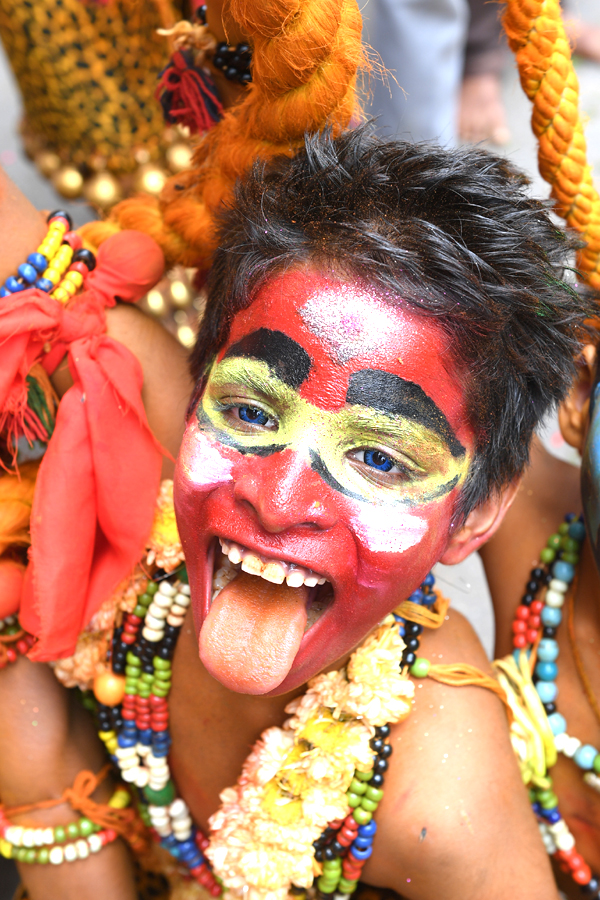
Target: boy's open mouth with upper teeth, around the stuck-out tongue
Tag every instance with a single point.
(233, 558)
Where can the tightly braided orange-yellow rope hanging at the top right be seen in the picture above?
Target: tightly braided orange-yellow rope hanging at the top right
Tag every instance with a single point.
(537, 37)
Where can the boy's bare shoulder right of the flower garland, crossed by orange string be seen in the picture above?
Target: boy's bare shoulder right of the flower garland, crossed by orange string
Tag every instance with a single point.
(455, 819)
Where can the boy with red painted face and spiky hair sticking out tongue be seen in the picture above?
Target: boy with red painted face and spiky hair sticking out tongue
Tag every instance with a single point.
(384, 329)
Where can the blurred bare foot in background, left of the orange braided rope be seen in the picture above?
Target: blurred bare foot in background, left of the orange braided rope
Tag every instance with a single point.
(481, 111)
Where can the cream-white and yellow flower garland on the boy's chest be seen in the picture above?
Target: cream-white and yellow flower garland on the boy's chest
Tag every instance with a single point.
(295, 780)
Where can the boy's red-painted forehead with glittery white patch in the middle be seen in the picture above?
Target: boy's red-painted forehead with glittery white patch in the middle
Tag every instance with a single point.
(322, 331)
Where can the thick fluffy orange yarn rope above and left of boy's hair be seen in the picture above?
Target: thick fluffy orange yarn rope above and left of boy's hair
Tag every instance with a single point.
(306, 54)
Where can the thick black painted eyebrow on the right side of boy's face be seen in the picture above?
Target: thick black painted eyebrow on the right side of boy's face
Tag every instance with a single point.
(392, 395)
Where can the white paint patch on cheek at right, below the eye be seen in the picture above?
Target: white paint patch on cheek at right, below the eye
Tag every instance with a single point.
(385, 530)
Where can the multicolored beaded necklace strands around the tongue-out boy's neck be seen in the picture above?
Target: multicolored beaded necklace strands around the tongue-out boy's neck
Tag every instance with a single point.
(135, 733)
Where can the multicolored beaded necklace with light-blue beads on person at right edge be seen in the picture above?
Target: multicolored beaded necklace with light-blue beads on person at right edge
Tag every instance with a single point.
(534, 632)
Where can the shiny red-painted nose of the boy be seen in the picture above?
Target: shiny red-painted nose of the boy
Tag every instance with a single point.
(284, 493)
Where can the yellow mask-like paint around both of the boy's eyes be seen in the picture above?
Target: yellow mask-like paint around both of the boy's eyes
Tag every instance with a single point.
(328, 440)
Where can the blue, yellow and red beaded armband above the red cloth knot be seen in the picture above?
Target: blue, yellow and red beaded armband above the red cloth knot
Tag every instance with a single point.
(59, 266)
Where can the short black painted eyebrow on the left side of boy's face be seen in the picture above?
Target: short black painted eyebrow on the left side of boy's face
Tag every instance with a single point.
(287, 360)
